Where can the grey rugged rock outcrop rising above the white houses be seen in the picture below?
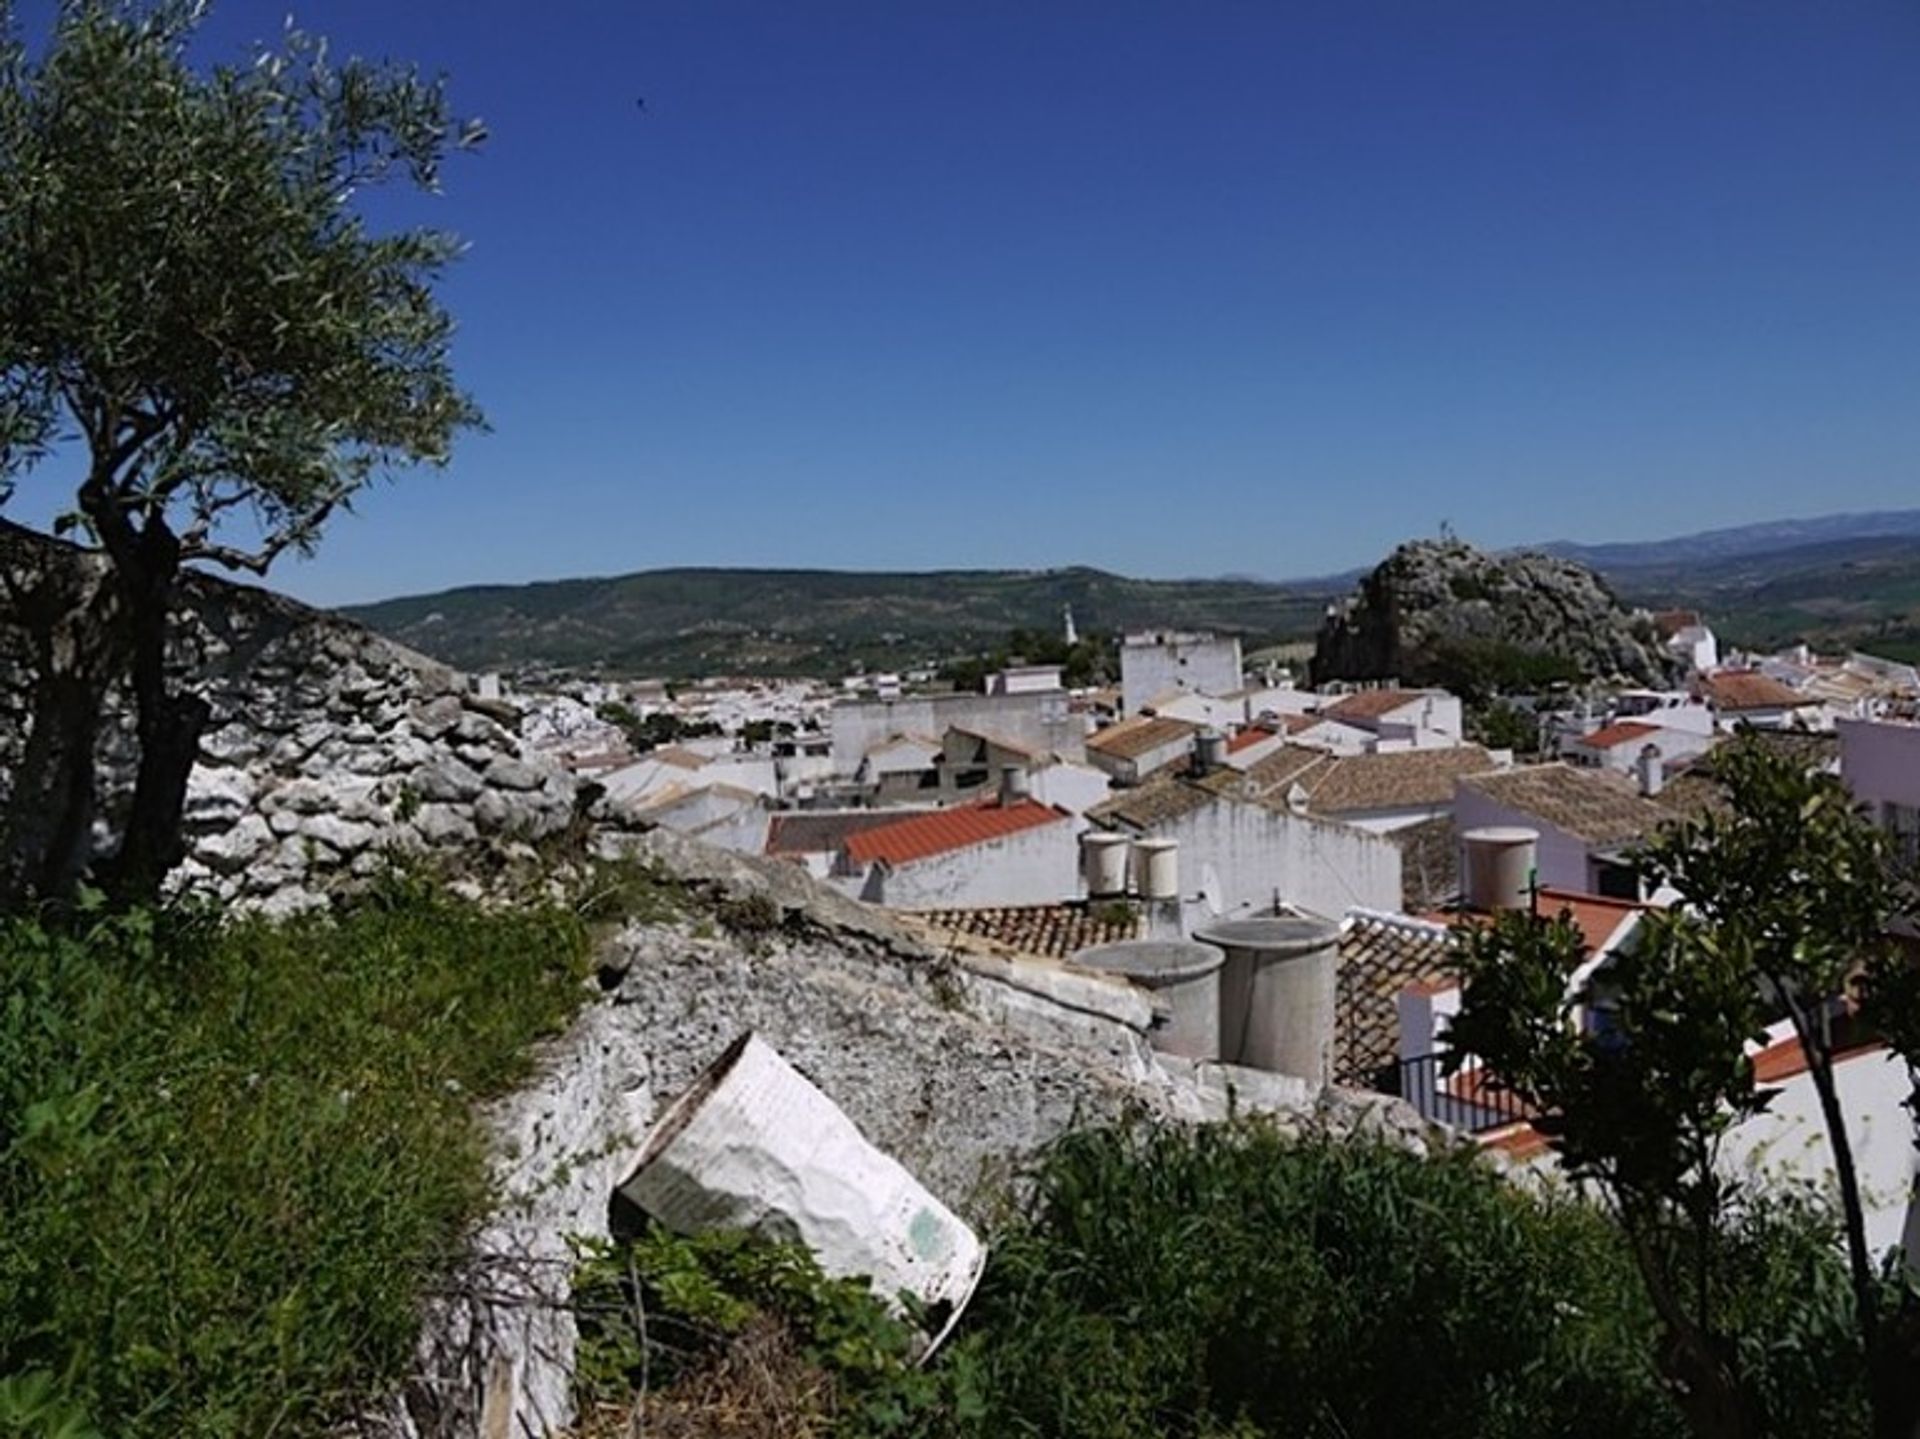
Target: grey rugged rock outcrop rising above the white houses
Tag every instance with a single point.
(1441, 612)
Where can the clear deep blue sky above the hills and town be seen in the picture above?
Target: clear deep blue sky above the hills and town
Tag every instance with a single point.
(1166, 289)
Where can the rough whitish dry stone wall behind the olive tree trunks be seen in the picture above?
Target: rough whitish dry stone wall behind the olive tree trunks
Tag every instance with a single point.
(329, 750)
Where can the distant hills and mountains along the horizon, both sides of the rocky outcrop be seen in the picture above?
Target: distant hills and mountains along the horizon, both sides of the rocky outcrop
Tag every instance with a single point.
(1831, 581)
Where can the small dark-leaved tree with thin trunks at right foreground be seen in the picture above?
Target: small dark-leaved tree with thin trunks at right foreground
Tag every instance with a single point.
(1783, 914)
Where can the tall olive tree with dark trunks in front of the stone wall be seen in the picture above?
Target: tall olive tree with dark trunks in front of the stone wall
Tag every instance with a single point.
(193, 305)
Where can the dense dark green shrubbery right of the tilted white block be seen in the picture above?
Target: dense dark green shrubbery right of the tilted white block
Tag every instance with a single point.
(1232, 1282)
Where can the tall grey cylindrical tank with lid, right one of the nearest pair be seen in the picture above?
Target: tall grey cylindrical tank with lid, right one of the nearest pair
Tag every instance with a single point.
(1278, 994)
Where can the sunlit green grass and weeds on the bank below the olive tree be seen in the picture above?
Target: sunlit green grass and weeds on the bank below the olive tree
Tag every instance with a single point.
(231, 1158)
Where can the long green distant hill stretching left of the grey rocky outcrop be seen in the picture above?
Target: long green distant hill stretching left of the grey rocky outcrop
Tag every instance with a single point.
(727, 622)
